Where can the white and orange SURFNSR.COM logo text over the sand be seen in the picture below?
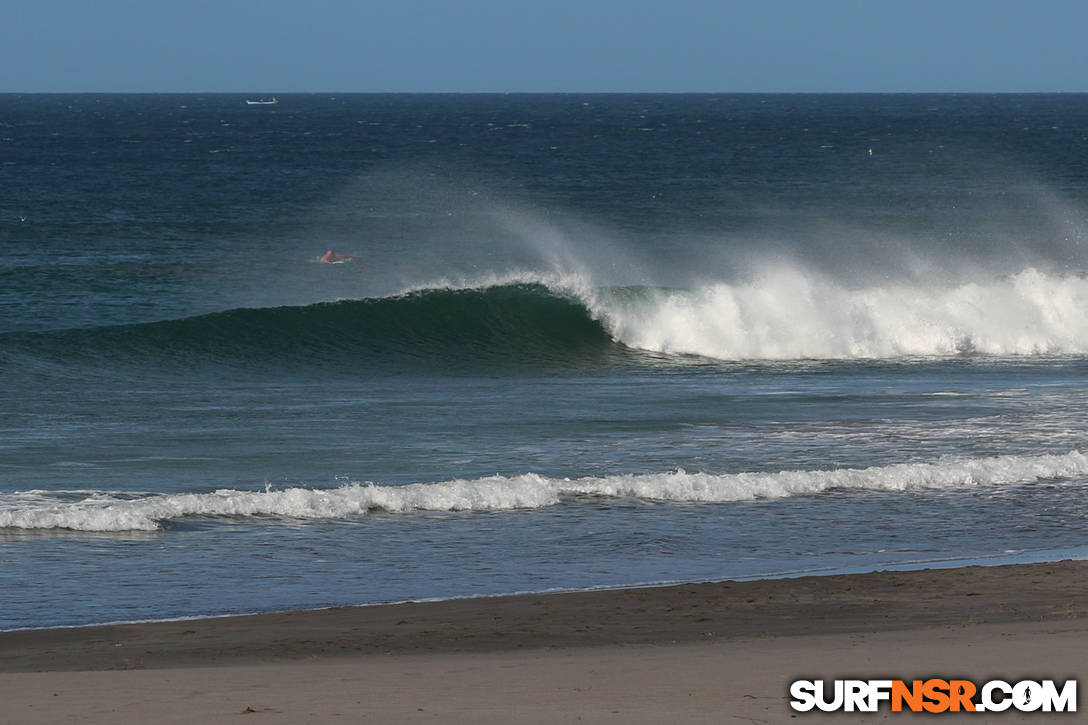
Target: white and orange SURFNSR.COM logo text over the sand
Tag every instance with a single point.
(933, 696)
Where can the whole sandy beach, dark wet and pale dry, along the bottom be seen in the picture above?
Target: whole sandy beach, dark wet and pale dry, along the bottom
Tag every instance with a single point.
(693, 654)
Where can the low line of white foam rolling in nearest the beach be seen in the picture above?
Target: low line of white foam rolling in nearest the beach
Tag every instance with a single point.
(106, 512)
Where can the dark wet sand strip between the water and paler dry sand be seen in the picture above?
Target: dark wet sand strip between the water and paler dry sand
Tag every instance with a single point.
(826, 605)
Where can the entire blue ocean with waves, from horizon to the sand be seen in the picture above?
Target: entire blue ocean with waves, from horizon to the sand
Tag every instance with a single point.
(585, 341)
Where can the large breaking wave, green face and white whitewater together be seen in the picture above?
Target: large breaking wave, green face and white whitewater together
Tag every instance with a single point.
(784, 315)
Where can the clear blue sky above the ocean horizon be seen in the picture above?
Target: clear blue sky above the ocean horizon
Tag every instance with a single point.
(558, 46)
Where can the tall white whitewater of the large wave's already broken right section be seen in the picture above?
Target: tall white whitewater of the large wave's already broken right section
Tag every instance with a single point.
(793, 314)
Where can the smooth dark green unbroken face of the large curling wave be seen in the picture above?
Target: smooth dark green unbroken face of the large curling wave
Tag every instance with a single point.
(513, 325)
